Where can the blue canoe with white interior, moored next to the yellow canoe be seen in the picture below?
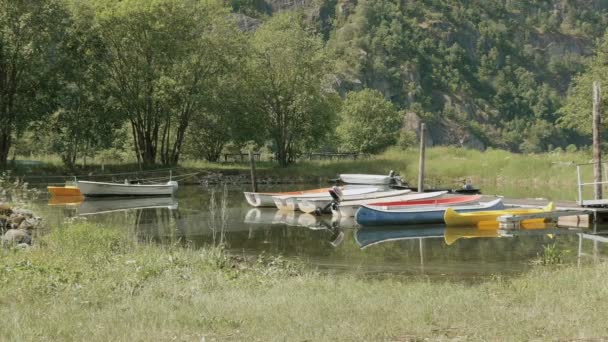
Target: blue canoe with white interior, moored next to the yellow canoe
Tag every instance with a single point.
(369, 215)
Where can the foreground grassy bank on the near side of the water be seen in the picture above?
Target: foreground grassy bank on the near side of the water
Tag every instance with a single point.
(84, 282)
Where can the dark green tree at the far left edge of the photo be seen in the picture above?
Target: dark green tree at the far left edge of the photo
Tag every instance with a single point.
(31, 36)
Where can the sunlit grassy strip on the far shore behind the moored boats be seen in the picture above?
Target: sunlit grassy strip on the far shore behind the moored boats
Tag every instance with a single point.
(444, 165)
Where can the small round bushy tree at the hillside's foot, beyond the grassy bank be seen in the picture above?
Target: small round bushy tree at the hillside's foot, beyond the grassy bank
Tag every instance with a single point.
(368, 122)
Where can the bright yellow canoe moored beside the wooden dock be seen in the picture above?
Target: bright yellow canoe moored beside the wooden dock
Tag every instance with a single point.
(488, 219)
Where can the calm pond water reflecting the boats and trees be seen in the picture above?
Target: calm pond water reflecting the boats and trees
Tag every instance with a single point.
(333, 246)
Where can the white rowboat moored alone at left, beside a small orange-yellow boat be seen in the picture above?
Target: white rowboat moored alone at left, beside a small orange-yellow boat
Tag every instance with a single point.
(116, 189)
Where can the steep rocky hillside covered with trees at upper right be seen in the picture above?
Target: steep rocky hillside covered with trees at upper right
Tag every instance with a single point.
(481, 73)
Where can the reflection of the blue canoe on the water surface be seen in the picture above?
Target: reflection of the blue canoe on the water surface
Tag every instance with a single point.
(366, 237)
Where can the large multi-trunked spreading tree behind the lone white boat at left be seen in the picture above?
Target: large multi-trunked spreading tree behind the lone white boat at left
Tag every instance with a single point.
(164, 57)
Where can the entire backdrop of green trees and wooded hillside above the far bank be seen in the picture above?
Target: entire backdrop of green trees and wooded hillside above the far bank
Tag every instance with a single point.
(172, 78)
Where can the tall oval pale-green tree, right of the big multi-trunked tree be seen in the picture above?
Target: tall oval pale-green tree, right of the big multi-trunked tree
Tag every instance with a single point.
(291, 94)
